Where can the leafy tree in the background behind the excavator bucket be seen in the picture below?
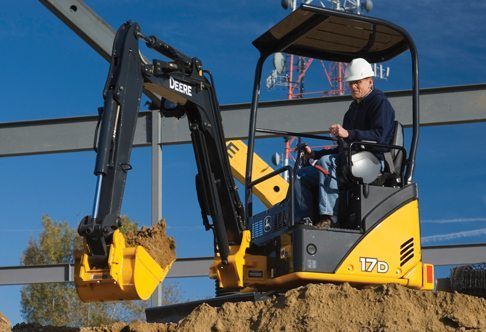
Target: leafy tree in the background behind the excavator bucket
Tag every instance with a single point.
(58, 304)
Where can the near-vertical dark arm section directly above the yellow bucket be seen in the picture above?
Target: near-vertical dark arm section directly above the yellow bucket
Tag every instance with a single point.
(118, 119)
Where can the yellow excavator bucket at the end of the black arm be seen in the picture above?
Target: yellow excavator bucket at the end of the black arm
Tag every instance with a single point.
(130, 274)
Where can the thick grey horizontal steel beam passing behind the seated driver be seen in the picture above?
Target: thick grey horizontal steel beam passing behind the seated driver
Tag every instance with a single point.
(450, 105)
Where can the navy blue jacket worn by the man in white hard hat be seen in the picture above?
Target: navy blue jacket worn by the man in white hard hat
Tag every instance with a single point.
(371, 119)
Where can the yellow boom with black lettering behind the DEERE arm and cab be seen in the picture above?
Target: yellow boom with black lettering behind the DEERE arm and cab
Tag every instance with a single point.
(270, 192)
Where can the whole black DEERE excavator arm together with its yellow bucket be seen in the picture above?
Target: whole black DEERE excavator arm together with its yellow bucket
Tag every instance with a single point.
(108, 270)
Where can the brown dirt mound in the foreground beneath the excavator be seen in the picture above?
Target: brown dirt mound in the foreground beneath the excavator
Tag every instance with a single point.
(327, 307)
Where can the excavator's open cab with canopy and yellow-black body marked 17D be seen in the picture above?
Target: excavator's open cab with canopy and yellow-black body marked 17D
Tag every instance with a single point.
(377, 238)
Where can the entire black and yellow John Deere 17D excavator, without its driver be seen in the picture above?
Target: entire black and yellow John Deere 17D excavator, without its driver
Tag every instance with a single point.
(377, 237)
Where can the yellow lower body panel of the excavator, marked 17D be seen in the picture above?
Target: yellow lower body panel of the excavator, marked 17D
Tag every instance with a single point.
(389, 253)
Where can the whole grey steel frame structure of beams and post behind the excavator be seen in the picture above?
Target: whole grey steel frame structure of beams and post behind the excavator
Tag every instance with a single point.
(439, 106)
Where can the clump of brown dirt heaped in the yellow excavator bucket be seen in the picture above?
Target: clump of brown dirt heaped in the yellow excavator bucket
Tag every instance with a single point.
(155, 240)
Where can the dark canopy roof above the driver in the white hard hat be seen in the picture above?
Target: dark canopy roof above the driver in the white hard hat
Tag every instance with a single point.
(334, 35)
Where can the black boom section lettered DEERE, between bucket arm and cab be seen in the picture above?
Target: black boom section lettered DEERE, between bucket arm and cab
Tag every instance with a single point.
(186, 90)
